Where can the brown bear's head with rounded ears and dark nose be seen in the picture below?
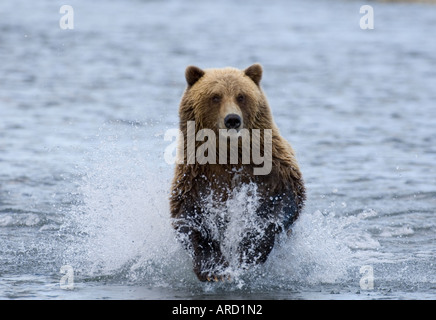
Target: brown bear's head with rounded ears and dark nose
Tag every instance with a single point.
(226, 98)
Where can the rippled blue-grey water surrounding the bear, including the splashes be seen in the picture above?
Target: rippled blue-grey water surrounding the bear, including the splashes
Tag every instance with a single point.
(83, 181)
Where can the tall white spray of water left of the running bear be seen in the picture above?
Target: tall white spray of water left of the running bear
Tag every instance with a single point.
(123, 223)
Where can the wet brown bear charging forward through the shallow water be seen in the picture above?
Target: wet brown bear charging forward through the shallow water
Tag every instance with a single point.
(230, 99)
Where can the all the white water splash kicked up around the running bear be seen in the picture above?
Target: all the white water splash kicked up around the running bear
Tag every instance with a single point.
(121, 230)
